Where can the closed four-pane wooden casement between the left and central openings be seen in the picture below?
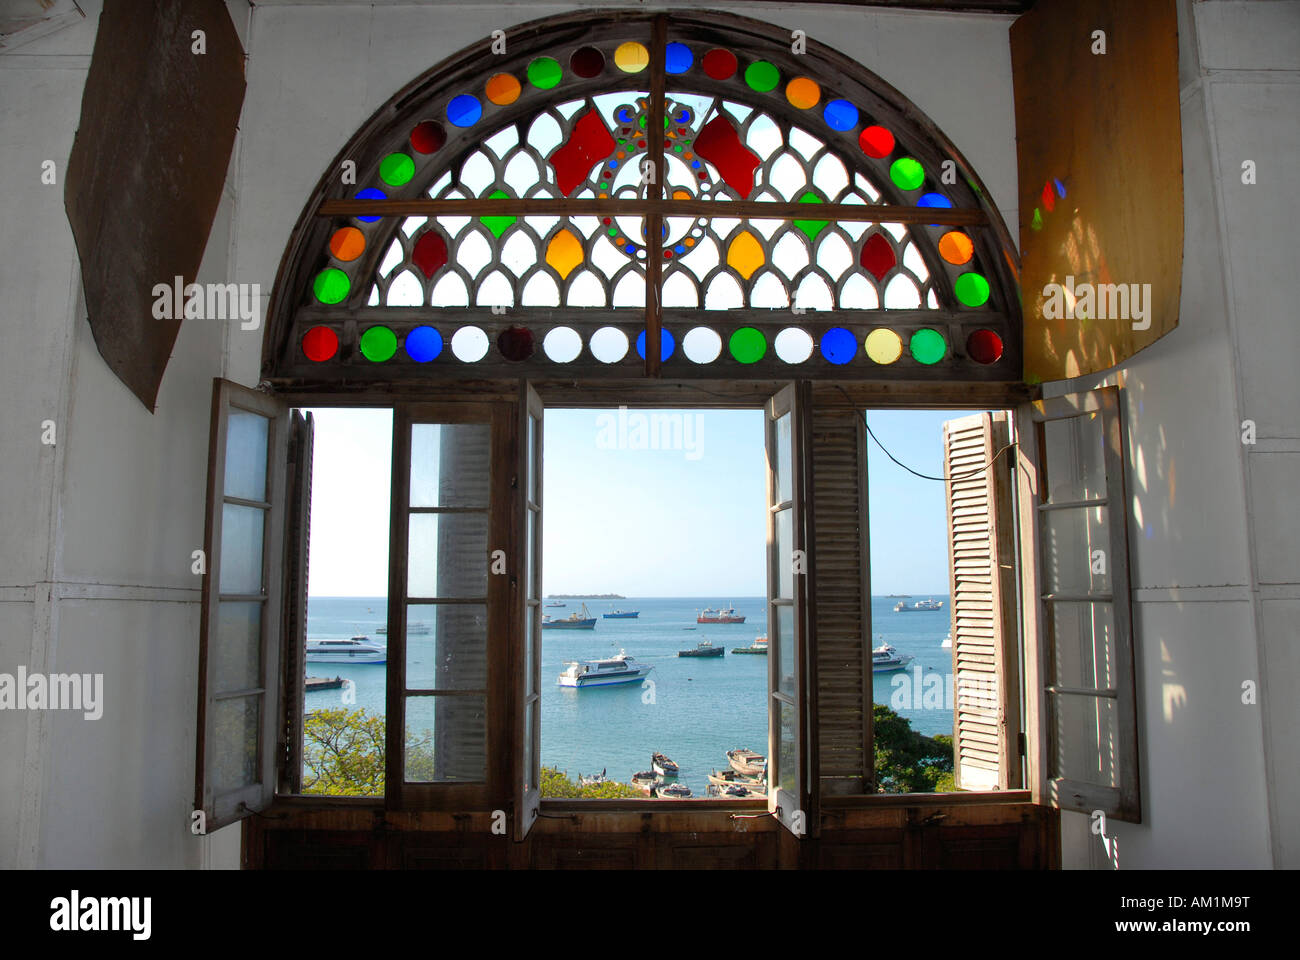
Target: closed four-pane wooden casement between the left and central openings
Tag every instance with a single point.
(448, 721)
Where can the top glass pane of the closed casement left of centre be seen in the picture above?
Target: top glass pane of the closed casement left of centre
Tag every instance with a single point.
(450, 465)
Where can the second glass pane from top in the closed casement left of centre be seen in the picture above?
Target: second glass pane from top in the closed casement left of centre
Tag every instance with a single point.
(448, 556)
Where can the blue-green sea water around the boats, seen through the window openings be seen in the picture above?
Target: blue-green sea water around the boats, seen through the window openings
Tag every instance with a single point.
(700, 708)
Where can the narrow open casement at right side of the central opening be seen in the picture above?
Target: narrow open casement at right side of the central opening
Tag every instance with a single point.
(790, 762)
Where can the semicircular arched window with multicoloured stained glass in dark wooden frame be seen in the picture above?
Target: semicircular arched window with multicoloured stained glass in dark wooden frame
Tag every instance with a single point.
(517, 211)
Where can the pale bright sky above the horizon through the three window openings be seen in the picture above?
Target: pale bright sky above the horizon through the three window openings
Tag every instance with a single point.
(645, 504)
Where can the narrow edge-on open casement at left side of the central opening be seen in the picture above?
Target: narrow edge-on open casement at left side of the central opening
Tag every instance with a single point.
(530, 596)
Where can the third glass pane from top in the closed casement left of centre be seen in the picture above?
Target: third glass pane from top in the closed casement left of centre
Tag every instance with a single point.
(449, 648)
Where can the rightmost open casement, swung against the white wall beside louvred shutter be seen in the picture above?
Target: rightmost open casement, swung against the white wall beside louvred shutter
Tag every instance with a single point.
(1081, 673)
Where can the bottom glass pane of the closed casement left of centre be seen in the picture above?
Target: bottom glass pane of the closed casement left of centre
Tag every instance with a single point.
(447, 740)
